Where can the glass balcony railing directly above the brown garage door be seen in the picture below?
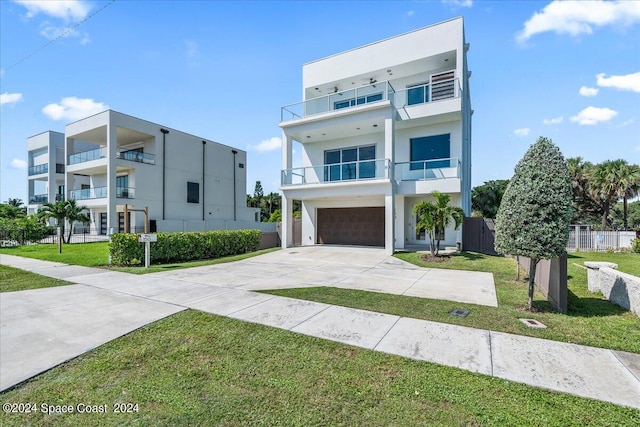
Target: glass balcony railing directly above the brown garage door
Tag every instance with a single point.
(337, 172)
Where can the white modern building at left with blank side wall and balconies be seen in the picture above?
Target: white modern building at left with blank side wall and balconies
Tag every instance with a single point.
(111, 160)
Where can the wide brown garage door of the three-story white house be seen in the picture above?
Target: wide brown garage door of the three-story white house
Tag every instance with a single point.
(351, 226)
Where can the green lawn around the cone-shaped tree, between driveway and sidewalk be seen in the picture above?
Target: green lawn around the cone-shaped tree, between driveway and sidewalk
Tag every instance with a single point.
(591, 320)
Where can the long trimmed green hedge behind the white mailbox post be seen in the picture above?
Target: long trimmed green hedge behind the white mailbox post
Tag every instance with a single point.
(180, 247)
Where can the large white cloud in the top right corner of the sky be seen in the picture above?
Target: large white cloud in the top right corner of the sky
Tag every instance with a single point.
(580, 17)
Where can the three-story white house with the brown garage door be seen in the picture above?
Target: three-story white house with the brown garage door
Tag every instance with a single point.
(380, 127)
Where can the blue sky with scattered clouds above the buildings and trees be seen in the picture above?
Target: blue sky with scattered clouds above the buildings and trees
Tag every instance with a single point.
(222, 70)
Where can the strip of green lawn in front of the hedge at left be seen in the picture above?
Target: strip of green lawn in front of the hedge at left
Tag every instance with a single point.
(97, 255)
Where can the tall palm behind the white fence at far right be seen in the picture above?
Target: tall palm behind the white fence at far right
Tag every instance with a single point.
(604, 185)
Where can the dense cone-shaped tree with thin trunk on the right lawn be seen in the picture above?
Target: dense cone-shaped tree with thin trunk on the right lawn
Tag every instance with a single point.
(535, 214)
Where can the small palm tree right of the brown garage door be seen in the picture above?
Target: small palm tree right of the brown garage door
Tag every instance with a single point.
(435, 217)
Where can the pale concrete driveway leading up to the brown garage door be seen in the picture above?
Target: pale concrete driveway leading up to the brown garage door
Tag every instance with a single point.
(368, 269)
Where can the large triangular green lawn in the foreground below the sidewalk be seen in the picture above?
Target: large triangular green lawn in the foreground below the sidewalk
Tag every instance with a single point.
(198, 369)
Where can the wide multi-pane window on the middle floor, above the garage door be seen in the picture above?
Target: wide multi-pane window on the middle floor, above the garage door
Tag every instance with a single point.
(350, 163)
